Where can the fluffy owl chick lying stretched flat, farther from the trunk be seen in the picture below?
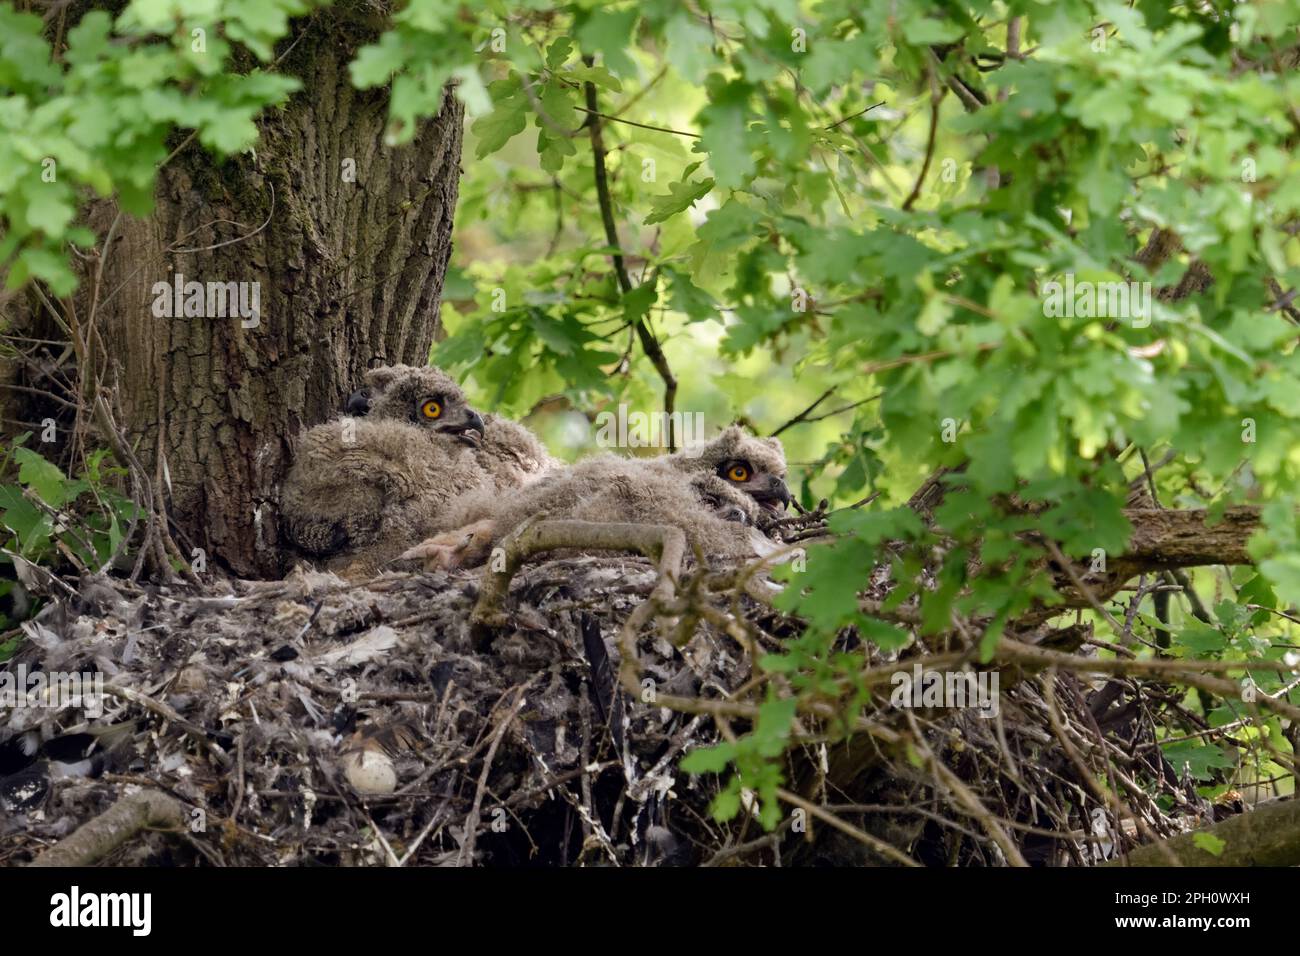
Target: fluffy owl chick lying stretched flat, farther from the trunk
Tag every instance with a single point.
(716, 494)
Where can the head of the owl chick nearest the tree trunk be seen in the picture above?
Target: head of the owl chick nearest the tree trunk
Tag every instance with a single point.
(427, 397)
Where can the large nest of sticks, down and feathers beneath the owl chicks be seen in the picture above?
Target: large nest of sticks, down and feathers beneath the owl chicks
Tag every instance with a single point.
(318, 723)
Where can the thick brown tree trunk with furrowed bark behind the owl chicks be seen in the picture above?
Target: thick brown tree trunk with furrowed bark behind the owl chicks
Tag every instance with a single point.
(350, 275)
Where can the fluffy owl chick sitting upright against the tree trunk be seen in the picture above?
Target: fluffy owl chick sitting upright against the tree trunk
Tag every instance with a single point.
(362, 491)
